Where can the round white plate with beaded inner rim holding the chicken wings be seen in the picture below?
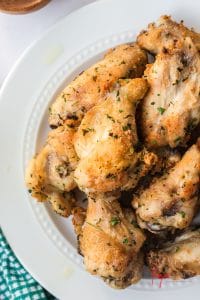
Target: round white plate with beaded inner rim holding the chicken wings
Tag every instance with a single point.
(43, 241)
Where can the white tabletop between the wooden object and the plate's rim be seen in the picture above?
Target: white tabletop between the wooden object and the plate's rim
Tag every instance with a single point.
(18, 31)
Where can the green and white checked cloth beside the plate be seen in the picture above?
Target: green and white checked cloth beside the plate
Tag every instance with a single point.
(15, 282)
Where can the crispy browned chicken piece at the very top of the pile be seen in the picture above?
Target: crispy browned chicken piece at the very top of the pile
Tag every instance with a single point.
(166, 34)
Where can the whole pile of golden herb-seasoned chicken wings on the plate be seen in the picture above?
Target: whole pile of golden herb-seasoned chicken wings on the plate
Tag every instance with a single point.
(125, 133)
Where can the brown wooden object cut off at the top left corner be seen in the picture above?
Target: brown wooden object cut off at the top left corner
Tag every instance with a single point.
(21, 6)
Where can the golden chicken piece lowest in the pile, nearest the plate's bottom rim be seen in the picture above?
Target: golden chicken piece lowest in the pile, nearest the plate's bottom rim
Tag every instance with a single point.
(110, 242)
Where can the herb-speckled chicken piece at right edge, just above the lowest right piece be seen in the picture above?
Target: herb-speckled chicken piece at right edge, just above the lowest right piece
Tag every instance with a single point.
(171, 201)
